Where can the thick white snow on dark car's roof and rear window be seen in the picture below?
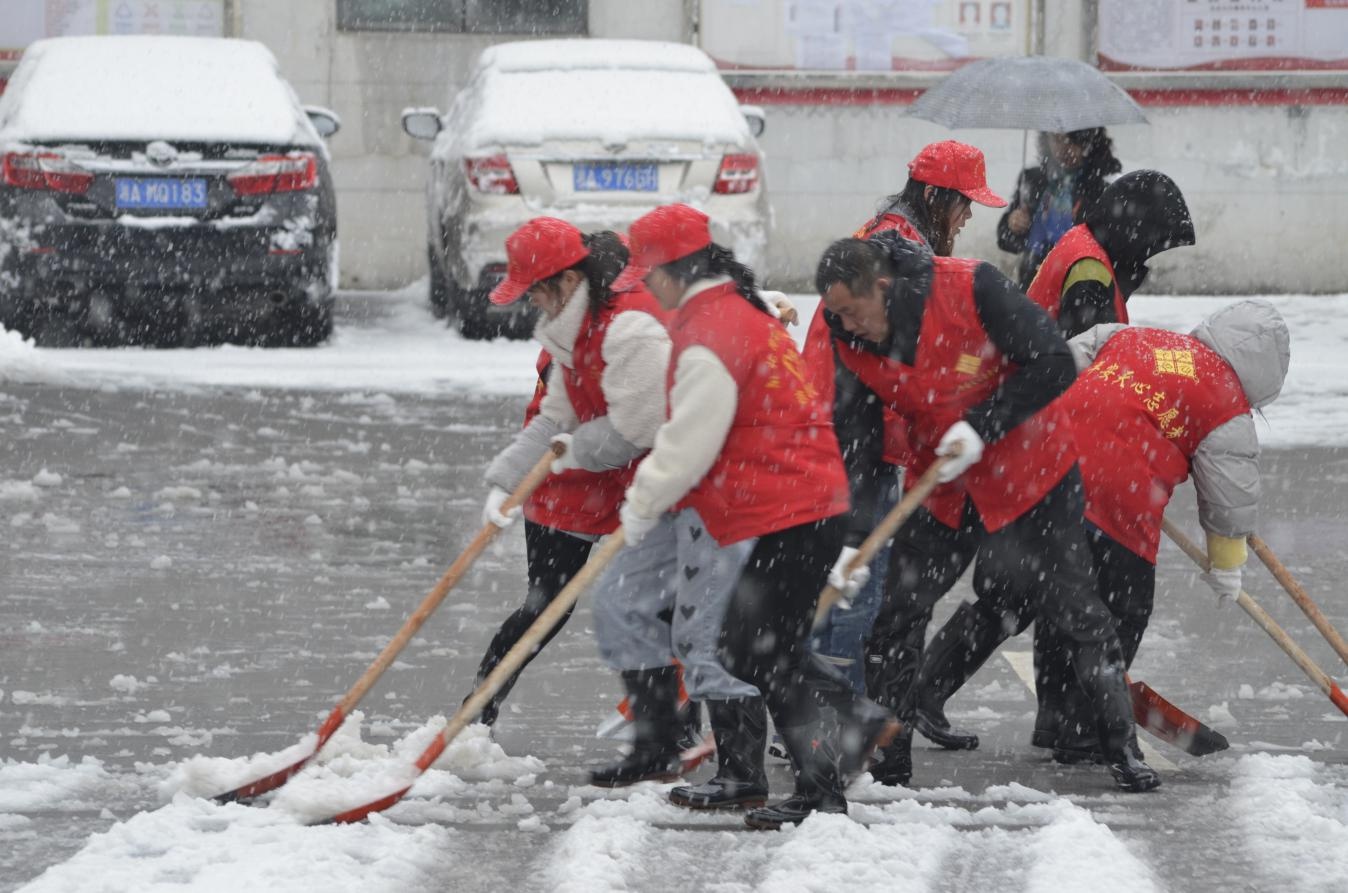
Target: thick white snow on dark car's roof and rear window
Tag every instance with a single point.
(142, 88)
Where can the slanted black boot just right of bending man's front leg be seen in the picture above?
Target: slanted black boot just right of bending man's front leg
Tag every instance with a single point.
(959, 650)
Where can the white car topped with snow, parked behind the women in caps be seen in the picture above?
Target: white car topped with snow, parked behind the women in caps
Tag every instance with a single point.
(594, 132)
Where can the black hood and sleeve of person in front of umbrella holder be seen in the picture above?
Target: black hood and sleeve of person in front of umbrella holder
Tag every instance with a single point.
(1140, 215)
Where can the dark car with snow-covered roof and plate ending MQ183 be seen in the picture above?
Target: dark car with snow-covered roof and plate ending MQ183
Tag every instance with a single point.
(164, 191)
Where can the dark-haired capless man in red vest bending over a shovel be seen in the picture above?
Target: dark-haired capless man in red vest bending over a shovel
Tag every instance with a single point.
(952, 346)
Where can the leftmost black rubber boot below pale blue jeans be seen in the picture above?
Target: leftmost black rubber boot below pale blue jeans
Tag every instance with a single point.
(656, 752)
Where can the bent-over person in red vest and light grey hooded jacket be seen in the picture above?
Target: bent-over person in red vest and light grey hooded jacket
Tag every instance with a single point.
(1152, 408)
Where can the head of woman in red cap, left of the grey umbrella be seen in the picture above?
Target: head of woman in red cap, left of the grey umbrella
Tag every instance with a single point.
(944, 181)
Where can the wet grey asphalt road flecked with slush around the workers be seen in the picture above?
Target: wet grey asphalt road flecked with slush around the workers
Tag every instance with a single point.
(237, 558)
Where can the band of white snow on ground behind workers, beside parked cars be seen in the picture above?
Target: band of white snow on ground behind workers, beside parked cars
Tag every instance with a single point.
(413, 354)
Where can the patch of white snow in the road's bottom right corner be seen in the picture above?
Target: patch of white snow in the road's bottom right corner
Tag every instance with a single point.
(1293, 821)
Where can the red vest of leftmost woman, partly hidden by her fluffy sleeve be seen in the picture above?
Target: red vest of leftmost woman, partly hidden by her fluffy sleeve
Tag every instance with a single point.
(584, 501)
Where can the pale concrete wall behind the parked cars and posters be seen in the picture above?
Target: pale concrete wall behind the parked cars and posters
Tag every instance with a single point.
(1266, 183)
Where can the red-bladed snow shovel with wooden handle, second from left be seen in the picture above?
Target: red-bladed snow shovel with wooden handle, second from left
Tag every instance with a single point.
(514, 659)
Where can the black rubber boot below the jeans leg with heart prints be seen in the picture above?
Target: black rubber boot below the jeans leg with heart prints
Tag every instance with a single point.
(741, 782)
